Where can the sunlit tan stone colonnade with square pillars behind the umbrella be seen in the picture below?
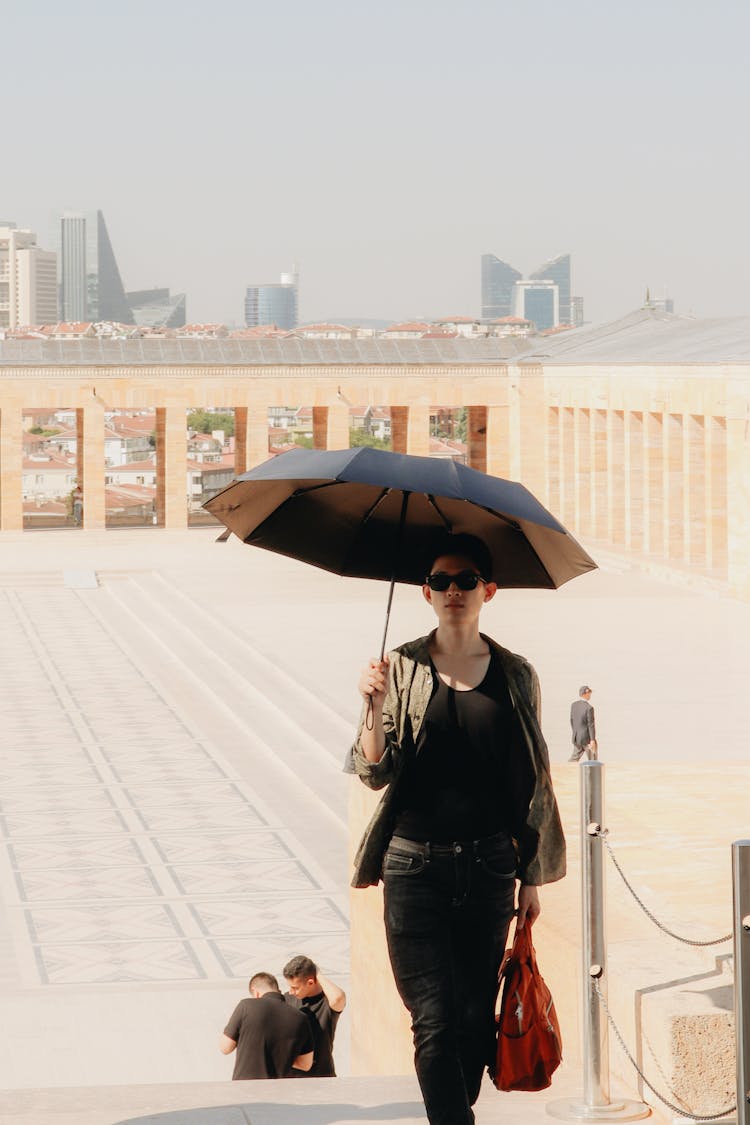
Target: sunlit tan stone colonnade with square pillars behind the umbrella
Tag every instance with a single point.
(652, 461)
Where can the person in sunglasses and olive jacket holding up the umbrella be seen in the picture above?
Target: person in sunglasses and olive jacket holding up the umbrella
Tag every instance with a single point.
(453, 730)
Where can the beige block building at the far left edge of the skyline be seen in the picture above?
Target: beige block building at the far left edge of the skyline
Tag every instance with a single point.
(28, 280)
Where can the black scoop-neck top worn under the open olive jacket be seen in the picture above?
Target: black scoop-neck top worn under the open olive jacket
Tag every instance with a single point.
(460, 784)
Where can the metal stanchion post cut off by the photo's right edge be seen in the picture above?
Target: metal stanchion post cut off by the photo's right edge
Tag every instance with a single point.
(742, 895)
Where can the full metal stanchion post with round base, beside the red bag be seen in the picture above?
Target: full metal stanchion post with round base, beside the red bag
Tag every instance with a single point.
(595, 1105)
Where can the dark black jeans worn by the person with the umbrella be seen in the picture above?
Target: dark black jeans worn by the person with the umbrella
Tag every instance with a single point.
(448, 911)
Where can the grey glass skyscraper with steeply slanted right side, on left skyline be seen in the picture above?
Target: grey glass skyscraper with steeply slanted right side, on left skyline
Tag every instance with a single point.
(91, 284)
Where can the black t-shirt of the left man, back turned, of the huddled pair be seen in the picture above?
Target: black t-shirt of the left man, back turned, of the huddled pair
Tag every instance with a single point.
(269, 1034)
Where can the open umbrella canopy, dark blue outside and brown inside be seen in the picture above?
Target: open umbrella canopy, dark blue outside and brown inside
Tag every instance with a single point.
(369, 514)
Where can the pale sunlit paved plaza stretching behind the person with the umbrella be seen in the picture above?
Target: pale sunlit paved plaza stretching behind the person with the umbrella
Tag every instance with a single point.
(174, 813)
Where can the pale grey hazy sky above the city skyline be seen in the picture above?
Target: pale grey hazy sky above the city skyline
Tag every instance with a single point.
(385, 147)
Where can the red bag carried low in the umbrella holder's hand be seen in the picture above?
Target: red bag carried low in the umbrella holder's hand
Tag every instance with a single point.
(529, 1043)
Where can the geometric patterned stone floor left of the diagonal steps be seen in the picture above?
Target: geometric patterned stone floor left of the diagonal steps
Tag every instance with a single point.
(129, 850)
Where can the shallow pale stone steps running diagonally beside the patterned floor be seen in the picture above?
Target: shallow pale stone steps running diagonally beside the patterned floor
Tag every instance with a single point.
(220, 691)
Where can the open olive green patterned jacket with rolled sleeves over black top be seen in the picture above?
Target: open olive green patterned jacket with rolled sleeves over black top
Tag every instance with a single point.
(539, 840)
